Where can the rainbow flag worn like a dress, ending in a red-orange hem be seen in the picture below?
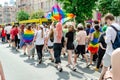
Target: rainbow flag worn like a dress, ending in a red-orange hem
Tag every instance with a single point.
(94, 45)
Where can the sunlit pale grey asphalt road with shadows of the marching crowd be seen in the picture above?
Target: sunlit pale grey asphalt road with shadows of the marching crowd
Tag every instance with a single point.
(17, 67)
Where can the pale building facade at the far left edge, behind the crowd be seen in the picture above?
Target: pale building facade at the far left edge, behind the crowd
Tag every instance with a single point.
(7, 14)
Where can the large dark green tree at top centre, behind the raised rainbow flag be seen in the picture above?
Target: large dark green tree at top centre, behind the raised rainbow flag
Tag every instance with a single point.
(83, 9)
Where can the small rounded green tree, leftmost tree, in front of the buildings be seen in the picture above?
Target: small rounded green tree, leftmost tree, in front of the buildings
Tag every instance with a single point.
(22, 15)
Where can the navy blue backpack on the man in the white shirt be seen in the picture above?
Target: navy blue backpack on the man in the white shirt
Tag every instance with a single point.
(116, 43)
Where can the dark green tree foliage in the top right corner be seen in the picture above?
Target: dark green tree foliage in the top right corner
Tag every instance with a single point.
(109, 6)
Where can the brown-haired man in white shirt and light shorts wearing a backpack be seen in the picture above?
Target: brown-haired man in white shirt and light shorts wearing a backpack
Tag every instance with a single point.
(110, 37)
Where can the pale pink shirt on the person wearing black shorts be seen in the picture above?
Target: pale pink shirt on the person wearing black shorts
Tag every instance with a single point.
(81, 37)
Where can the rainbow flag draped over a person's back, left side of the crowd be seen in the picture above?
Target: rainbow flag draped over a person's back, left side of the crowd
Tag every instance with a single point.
(28, 36)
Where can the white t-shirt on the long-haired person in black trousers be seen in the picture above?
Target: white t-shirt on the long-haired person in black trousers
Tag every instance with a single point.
(39, 39)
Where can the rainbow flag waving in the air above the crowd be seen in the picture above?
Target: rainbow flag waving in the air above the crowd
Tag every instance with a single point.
(58, 15)
